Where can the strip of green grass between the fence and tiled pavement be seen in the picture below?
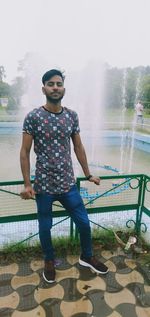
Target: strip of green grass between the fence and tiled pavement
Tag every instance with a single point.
(102, 240)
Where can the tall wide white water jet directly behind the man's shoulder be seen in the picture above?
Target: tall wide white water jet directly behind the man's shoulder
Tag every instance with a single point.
(85, 95)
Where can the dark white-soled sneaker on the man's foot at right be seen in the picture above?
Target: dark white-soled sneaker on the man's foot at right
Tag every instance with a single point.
(94, 263)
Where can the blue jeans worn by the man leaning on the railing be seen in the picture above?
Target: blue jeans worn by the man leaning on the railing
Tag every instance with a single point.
(73, 203)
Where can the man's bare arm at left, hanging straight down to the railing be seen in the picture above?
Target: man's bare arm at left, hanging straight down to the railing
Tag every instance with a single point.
(25, 165)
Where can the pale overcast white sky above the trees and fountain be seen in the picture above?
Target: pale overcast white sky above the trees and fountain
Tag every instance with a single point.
(69, 33)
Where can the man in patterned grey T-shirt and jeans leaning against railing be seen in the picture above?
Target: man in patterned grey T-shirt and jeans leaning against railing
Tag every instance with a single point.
(51, 127)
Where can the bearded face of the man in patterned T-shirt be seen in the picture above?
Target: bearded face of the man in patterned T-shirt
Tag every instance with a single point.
(54, 89)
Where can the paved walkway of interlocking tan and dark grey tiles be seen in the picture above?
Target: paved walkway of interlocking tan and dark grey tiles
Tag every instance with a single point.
(78, 292)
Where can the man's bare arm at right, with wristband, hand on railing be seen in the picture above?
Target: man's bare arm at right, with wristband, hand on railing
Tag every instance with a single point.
(82, 158)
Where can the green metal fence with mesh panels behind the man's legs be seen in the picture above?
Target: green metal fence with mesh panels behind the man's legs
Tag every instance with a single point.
(121, 201)
